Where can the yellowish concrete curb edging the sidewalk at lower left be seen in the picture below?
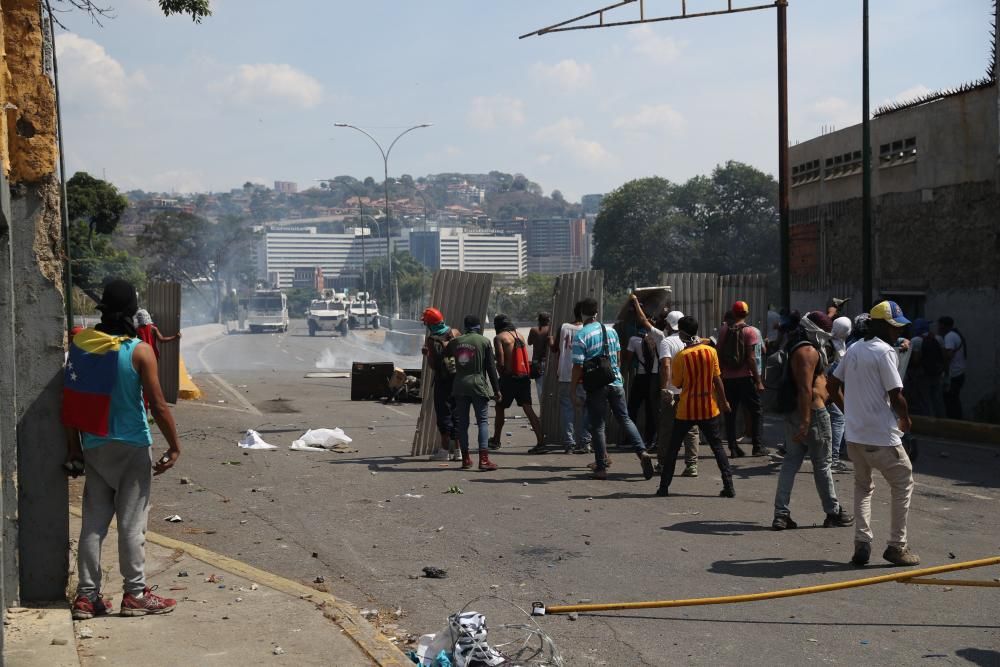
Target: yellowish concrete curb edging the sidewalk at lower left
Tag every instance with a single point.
(345, 615)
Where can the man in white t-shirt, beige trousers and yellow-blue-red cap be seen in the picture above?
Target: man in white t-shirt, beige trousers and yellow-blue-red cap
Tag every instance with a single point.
(867, 386)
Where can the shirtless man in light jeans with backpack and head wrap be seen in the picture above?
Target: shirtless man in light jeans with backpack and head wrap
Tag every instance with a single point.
(807, 422)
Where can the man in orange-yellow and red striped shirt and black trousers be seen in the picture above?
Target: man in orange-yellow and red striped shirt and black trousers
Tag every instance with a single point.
(695, 370)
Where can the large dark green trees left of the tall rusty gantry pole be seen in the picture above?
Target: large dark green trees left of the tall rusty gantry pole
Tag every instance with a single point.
(726, 223)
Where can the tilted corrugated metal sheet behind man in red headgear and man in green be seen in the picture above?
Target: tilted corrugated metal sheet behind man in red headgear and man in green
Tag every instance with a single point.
(456, 294)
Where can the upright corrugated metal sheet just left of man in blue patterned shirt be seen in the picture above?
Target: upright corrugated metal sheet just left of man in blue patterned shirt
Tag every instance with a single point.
(569, 288)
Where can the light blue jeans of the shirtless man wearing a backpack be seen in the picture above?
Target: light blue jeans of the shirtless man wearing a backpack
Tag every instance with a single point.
(817, 444)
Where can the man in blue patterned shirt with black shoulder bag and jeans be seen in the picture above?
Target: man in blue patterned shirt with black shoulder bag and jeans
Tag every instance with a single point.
(593, 341)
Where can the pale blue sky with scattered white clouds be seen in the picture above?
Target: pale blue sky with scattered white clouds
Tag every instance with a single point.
(252, 93)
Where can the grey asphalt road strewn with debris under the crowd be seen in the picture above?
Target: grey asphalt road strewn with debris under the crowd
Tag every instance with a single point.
(538, 529)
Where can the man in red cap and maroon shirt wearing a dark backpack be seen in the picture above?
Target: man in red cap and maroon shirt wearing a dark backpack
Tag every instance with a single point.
(741, 376)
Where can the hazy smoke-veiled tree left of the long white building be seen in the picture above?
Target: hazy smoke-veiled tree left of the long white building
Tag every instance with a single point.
(208, 257)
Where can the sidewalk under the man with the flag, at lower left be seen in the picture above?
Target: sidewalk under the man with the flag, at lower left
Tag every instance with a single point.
(228, 613)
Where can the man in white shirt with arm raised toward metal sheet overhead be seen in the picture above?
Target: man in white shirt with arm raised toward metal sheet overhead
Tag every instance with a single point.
(646, 348)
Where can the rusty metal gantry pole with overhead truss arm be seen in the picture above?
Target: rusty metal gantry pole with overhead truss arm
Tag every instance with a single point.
(607, 17)
